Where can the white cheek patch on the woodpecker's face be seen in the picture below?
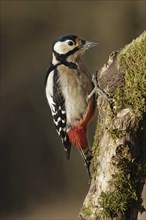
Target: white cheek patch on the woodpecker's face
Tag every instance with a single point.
(62, 47)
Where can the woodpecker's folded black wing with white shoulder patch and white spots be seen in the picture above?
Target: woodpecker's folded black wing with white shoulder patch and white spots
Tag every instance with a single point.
(57, 106)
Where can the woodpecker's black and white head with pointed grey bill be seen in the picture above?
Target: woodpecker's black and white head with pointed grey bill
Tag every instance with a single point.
(70, 48)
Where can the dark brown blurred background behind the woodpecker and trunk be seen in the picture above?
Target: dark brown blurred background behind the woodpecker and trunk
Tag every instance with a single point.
(36, 179)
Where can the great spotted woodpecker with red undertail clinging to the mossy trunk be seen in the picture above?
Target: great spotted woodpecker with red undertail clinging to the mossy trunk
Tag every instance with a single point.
(68, 85)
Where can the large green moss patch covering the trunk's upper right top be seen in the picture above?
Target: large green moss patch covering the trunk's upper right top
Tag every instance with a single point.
(132, 61)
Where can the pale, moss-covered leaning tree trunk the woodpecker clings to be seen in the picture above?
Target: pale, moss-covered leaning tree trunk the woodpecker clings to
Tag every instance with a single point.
(118, 167)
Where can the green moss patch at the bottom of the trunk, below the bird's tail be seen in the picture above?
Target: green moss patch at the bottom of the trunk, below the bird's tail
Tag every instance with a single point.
(121, 193)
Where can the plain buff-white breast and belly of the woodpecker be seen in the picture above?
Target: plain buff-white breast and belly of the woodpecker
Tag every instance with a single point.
(74, 93)
